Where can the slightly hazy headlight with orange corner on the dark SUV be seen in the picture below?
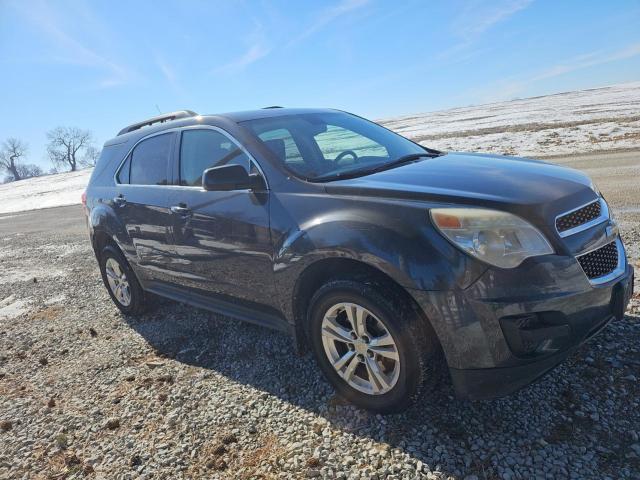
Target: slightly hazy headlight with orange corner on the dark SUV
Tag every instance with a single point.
(495, 237)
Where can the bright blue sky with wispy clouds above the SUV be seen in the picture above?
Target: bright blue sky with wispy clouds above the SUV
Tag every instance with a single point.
(103, 64)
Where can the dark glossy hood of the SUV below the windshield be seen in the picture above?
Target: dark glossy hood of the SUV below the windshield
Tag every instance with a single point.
(468, 177)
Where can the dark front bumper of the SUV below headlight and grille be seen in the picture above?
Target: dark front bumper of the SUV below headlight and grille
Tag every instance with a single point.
(510, 327)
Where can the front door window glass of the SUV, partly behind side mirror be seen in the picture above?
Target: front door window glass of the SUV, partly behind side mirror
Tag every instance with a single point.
(202, 149)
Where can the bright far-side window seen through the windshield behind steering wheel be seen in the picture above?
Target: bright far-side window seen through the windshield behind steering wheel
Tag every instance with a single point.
(336, 140)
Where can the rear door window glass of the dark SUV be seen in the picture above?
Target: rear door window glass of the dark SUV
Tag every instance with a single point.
(149, 161)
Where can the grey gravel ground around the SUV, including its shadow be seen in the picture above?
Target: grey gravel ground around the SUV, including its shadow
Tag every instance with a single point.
(182, 393)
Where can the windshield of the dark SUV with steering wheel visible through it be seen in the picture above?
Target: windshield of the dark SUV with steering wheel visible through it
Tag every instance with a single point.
(329, 145)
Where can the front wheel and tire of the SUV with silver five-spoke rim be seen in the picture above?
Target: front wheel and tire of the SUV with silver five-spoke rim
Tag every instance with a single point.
(374, 383)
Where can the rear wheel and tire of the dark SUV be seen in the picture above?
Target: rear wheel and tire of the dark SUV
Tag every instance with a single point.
(130, 299)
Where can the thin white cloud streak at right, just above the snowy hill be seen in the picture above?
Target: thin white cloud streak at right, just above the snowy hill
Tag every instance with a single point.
(515, 86)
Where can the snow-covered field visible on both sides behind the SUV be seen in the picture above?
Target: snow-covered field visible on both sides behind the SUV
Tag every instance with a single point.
(598, 119)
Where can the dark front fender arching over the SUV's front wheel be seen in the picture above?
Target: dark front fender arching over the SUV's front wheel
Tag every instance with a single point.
(396, 240)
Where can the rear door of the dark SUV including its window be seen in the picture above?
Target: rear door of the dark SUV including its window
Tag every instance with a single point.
(142, 203)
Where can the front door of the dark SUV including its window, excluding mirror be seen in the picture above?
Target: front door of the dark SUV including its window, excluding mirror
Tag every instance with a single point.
(222, 239)
